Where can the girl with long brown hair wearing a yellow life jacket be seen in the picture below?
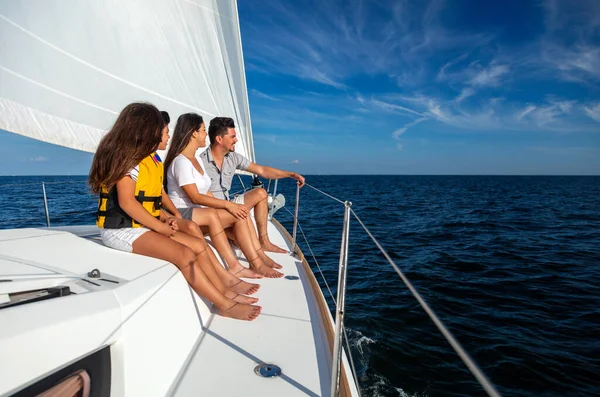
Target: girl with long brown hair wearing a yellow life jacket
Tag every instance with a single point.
(127, 174)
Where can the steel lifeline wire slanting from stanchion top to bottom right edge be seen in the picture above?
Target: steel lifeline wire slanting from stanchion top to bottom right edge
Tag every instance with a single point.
(479, 375)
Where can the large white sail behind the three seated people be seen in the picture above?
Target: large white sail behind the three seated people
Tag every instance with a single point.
(68, 67)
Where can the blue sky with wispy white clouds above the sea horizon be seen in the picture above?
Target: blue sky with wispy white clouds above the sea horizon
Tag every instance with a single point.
(408, 87)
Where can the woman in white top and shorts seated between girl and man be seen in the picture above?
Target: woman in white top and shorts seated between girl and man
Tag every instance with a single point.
(188, 186)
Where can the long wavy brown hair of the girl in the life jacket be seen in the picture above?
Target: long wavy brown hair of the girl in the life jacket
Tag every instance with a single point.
(134, 136)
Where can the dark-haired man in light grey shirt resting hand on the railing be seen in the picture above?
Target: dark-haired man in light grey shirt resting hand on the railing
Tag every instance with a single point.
(221, 162)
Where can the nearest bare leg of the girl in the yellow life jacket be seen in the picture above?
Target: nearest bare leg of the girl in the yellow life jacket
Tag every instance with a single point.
(158, 246)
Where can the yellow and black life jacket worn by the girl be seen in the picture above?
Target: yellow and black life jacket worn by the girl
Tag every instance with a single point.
(148, 191)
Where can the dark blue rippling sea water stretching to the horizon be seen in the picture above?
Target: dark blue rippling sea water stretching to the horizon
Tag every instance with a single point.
(510, 264)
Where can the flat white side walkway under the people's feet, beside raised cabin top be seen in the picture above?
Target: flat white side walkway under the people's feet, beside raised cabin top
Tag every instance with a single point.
(288, 333)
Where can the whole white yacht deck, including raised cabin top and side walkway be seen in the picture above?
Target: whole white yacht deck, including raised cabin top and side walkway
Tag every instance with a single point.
(163, 338)
